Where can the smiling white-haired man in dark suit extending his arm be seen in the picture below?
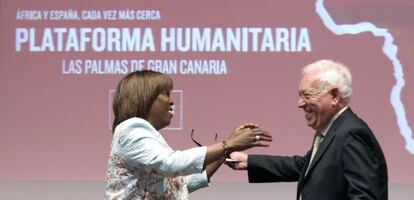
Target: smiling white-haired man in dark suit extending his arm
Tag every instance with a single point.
(347, 160)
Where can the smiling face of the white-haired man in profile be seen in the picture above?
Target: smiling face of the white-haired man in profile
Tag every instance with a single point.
(319, 106)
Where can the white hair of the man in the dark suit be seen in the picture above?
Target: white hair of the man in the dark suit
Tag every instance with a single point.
(332, 74)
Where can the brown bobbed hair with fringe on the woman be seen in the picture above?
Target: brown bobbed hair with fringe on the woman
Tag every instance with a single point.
(136, 93)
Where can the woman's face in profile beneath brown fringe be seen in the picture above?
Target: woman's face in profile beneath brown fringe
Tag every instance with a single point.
(161, 111)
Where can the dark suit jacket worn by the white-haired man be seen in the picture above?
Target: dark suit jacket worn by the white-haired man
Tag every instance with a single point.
(349, 164)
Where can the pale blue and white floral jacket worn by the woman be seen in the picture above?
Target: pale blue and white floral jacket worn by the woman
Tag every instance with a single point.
(142, 166)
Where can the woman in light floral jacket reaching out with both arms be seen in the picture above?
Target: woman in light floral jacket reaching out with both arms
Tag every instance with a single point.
(141, 164)
